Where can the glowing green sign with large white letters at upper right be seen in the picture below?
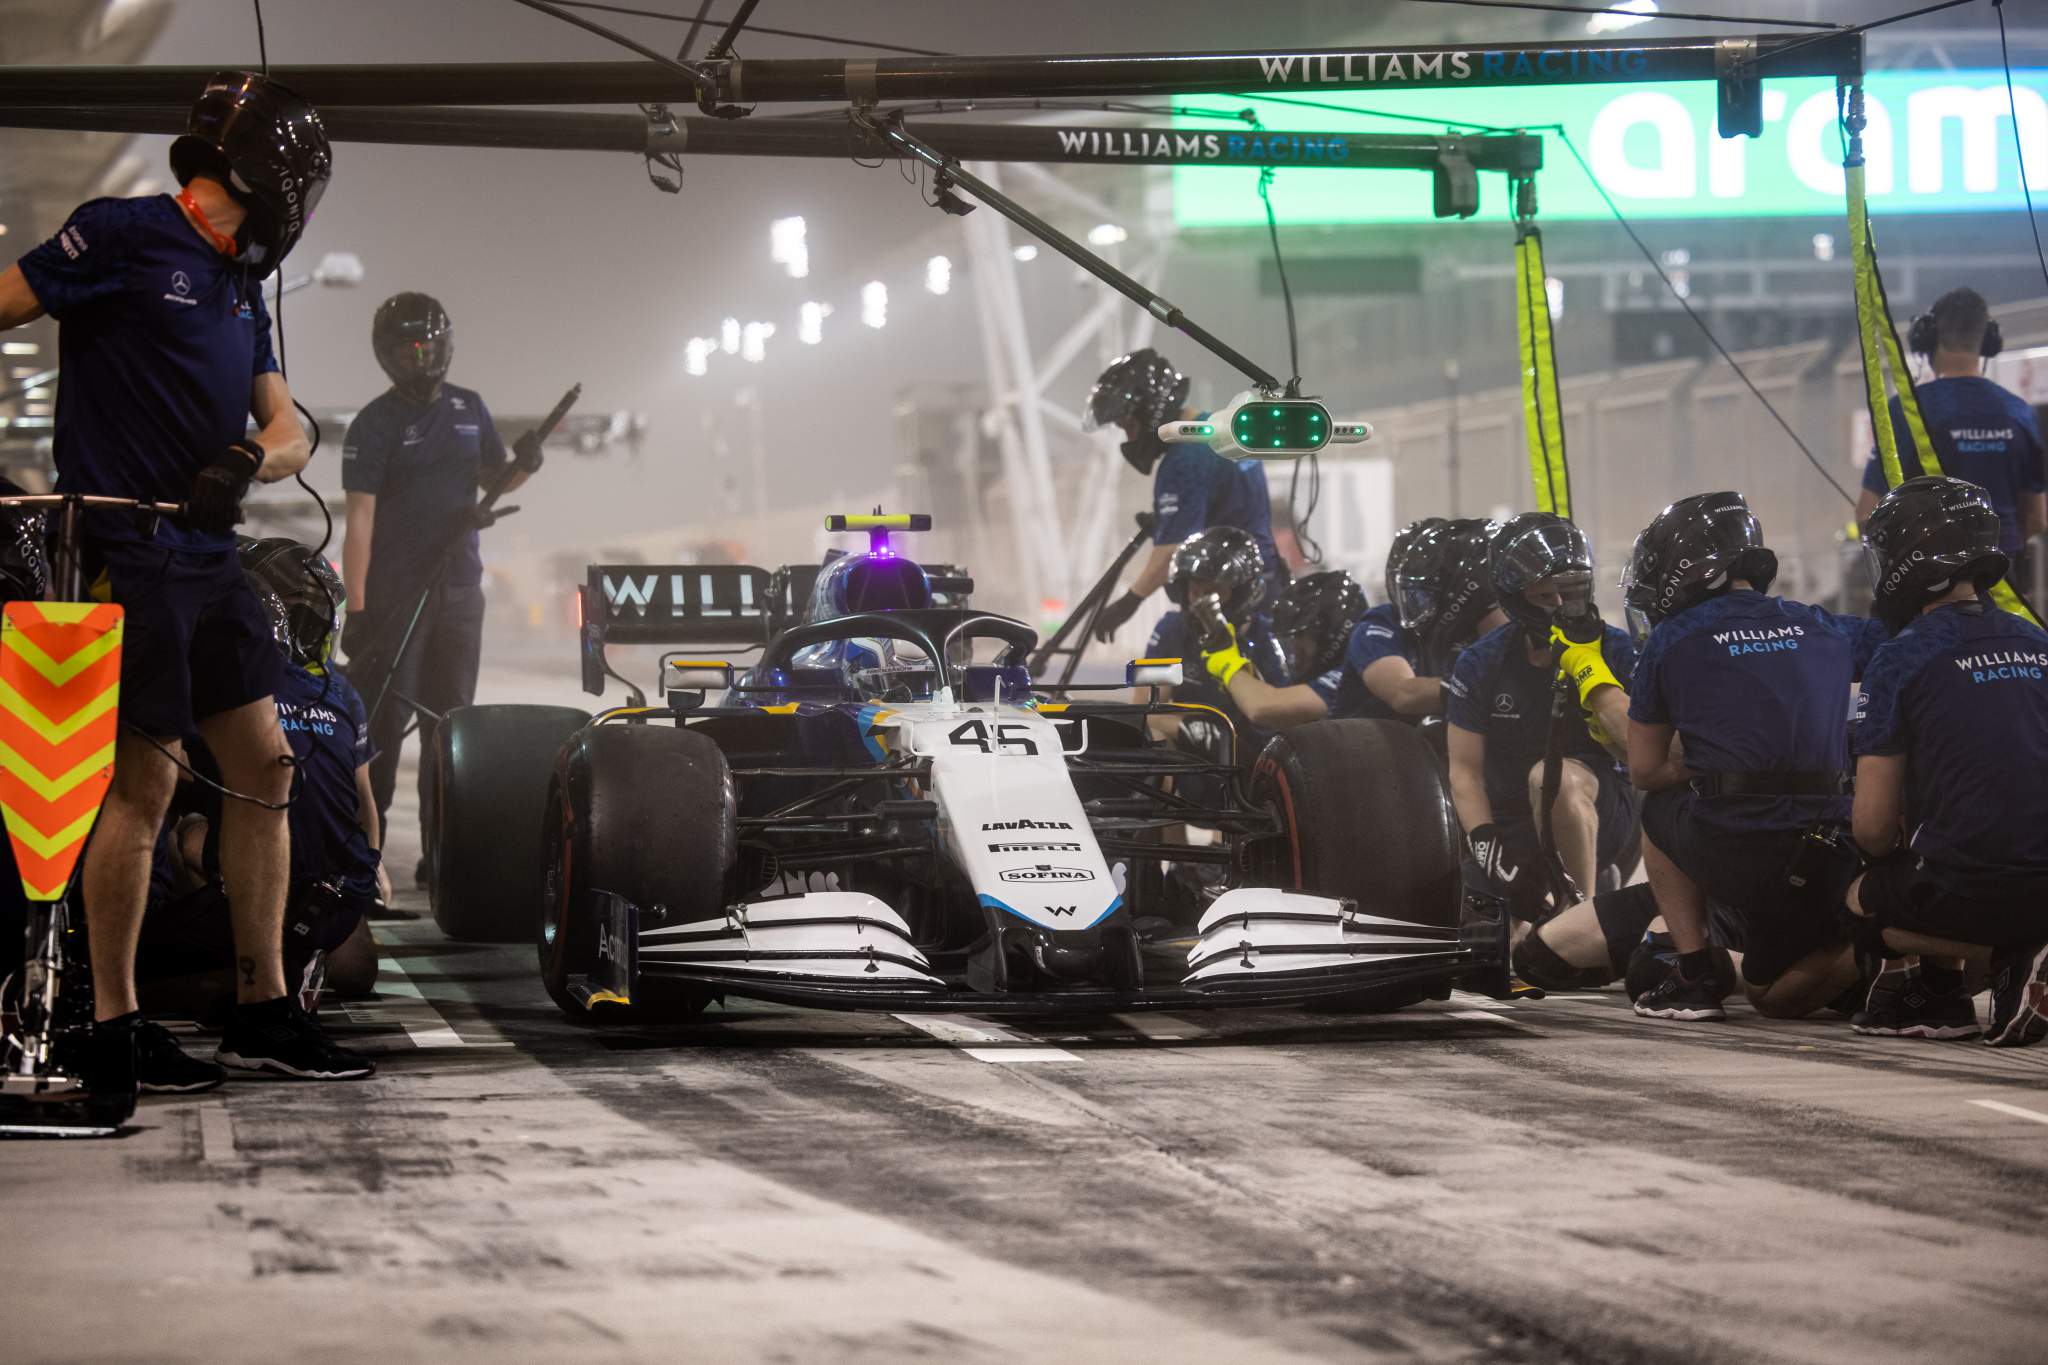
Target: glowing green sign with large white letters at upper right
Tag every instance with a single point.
(1938, 142)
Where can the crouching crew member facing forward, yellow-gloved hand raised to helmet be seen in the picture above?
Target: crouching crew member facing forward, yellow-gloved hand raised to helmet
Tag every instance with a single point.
(1500, 723)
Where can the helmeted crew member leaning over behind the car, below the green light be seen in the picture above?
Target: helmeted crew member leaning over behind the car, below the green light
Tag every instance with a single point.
(1193, 488)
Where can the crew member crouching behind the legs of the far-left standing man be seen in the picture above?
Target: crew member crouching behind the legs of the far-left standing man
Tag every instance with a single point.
(335, 865)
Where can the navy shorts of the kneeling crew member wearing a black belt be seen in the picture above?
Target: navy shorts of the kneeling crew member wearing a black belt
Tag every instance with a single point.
(1752, 877)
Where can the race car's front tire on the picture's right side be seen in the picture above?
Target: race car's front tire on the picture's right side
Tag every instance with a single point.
(1365, 813)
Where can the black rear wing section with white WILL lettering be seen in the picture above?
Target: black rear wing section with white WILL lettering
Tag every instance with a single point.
(669, 605)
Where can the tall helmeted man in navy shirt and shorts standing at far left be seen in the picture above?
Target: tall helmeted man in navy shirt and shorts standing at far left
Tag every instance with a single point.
(167, 355)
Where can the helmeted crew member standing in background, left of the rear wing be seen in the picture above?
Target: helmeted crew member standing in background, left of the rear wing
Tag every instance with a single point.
(413, 466)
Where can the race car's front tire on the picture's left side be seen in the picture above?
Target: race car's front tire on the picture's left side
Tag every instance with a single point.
(644, 813)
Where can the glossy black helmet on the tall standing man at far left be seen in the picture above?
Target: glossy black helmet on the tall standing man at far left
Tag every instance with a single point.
(269, 150)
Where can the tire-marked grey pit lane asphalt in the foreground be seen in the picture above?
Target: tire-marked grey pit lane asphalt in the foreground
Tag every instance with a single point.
(1459, 1182)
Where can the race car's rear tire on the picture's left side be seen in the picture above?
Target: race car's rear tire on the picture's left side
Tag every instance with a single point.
(490, 801)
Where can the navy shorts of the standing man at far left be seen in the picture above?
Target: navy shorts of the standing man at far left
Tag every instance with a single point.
(196, 644)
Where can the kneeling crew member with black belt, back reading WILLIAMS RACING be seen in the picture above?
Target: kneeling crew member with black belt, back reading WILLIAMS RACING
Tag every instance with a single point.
(1756, 691)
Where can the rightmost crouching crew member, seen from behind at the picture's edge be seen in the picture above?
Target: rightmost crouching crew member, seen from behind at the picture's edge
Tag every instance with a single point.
(1953, 748)
